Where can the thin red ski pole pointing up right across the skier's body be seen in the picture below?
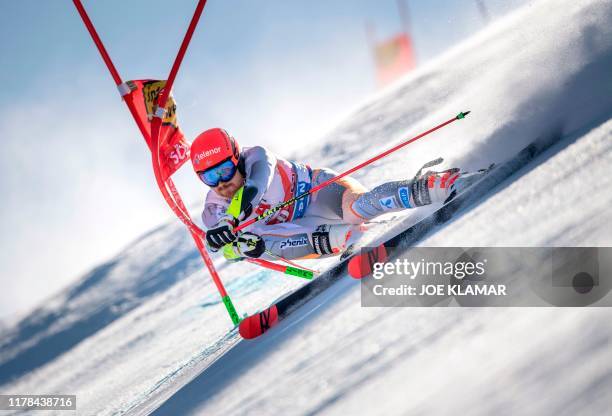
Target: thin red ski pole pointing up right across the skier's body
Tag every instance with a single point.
(271, 211)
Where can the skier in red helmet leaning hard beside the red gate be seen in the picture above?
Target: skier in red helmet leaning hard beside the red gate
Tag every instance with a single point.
(320, 225)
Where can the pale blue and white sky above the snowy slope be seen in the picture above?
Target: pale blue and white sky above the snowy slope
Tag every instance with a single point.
(75, 173)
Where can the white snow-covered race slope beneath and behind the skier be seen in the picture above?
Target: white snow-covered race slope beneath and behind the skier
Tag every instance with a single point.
(138, 328)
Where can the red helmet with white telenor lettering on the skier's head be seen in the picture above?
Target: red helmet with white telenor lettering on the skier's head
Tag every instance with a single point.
(213, 147)
